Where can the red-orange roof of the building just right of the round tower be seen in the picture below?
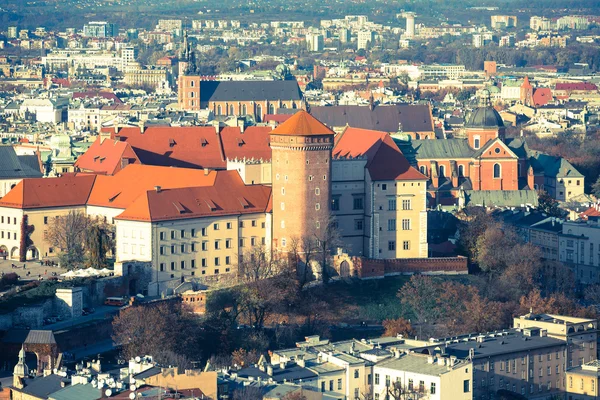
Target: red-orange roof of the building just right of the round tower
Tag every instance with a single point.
(385, 161)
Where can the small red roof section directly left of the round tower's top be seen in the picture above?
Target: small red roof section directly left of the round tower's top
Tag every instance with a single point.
(252, 143)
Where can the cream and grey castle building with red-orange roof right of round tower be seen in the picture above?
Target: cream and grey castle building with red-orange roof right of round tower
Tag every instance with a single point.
(378, 199)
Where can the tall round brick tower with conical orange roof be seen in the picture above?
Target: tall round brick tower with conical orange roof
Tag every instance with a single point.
(301, 176)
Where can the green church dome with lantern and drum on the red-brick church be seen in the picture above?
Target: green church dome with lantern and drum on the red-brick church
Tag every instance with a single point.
(484, 123)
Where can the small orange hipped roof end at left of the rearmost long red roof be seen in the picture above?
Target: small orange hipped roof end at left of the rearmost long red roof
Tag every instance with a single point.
(106, 157)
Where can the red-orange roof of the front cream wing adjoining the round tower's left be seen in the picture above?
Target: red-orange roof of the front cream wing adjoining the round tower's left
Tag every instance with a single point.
(227, 196)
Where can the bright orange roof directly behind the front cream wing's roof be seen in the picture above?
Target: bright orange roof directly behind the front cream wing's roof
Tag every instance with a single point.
(122, 189)
